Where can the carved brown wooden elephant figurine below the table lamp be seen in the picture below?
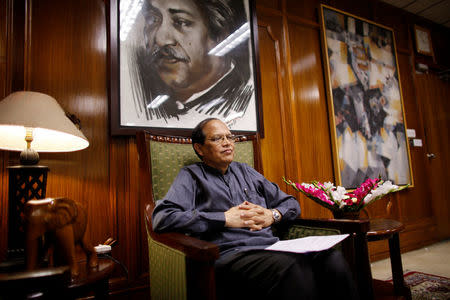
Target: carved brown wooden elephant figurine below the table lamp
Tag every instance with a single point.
(63, 221)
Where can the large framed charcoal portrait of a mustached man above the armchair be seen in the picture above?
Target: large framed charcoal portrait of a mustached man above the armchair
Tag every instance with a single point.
(174, 63)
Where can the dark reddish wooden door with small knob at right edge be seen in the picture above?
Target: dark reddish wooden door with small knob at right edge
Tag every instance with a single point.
(433, 94)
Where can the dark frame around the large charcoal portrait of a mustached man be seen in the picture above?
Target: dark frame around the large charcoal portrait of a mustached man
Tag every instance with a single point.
(115, 65)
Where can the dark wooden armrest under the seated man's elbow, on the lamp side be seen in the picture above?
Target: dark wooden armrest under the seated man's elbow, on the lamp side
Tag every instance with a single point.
(193, 248)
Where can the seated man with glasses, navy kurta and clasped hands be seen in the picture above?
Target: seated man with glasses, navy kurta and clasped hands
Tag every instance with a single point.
(230, 204)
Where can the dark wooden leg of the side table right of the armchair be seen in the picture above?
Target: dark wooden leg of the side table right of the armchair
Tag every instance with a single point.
(400, 287)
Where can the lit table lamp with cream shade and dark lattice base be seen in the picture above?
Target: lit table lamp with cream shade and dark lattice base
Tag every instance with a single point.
(31, 122)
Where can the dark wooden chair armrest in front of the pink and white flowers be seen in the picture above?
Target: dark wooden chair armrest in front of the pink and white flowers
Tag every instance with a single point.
(343, 225)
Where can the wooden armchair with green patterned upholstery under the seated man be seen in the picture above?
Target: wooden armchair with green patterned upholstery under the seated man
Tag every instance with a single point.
(182, 267)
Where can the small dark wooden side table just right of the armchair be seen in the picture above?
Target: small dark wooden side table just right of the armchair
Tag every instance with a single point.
(381, 229)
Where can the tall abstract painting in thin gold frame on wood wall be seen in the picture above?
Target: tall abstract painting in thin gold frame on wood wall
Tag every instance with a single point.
(367, 116)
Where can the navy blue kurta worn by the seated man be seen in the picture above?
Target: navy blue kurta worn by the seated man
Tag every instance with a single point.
(198, 198)
